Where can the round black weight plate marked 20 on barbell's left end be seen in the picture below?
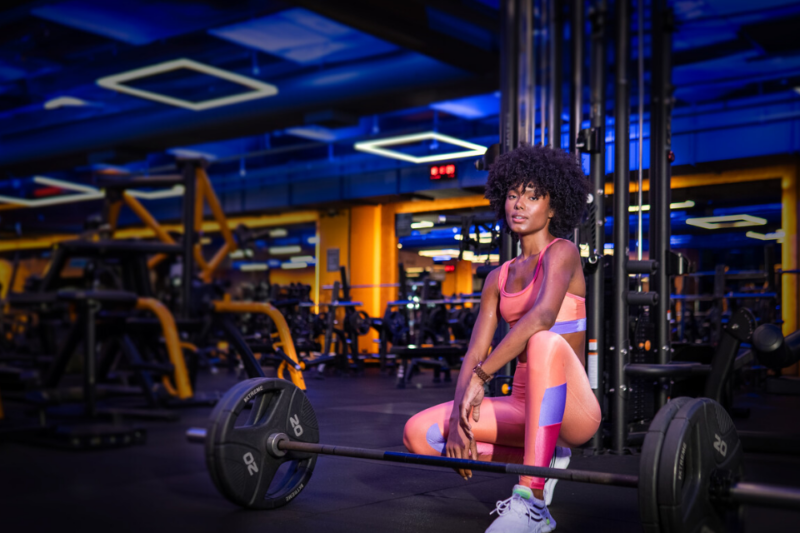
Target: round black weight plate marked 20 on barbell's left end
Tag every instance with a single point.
(236, 444)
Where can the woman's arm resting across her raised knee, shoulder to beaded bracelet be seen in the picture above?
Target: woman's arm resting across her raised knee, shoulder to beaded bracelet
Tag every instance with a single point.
(559, 265)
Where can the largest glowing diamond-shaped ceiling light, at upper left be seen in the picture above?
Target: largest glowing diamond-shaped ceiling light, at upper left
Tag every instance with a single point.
(257, 89)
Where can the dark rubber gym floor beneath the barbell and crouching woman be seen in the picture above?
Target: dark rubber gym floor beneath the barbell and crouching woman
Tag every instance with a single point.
(163, 485)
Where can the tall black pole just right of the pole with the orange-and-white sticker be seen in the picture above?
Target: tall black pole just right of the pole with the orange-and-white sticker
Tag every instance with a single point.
(620, 346)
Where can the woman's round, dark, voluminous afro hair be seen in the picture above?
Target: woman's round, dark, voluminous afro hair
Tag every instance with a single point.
(555, 173)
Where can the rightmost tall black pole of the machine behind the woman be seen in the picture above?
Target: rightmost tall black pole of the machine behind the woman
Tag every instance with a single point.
(660, 179)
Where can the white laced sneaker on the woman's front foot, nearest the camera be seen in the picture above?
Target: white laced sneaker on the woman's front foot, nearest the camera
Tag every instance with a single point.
(522, 513)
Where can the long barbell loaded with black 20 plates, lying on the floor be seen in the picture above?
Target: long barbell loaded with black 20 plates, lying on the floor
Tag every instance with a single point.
(262, 444)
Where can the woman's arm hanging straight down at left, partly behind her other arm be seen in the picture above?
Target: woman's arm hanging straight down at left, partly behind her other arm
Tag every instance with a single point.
(482, 335)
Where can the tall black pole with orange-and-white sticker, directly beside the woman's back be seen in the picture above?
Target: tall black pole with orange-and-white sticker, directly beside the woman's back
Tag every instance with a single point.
(595, 290)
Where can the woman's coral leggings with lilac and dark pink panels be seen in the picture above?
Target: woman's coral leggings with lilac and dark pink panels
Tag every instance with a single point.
(551, 403)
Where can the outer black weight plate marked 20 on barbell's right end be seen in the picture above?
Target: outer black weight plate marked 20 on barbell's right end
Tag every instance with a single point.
(700, 440)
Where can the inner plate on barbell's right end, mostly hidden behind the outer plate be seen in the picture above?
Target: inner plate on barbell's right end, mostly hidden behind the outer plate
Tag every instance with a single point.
(648, 464)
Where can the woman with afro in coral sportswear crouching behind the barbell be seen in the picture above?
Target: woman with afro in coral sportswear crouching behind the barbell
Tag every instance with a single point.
(541, 194)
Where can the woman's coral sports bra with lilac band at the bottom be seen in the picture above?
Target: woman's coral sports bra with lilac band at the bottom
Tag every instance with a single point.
(513, 305)
